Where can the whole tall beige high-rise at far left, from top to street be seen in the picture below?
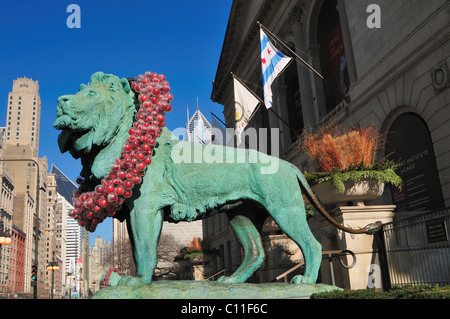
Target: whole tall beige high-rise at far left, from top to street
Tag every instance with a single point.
(29, 173)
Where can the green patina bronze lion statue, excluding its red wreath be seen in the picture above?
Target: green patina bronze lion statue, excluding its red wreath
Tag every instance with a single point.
(186, 182)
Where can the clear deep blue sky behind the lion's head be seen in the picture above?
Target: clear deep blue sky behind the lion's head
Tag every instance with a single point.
(181, 39)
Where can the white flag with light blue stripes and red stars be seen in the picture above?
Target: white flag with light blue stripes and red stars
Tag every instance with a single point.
(273, 63)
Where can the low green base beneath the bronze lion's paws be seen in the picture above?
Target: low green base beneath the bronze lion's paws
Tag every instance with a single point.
(211, 290)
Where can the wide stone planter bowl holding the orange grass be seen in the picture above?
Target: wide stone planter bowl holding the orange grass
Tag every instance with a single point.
(359, 193)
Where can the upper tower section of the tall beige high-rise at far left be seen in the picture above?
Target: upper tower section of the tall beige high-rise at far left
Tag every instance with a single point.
(23, 114)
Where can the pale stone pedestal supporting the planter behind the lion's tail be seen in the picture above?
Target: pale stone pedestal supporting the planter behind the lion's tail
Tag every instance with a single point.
(366, 273)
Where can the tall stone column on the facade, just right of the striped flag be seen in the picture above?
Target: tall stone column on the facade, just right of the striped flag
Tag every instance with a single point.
(309, 106)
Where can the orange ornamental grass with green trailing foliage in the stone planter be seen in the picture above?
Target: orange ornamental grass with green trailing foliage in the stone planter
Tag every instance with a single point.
(348, 154)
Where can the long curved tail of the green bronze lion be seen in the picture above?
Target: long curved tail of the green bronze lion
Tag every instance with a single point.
(369, 229)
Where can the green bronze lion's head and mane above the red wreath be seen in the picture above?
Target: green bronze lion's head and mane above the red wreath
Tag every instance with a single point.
(93, 118)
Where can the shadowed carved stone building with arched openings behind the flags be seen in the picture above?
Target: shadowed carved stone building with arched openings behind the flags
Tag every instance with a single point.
(396, 76)
